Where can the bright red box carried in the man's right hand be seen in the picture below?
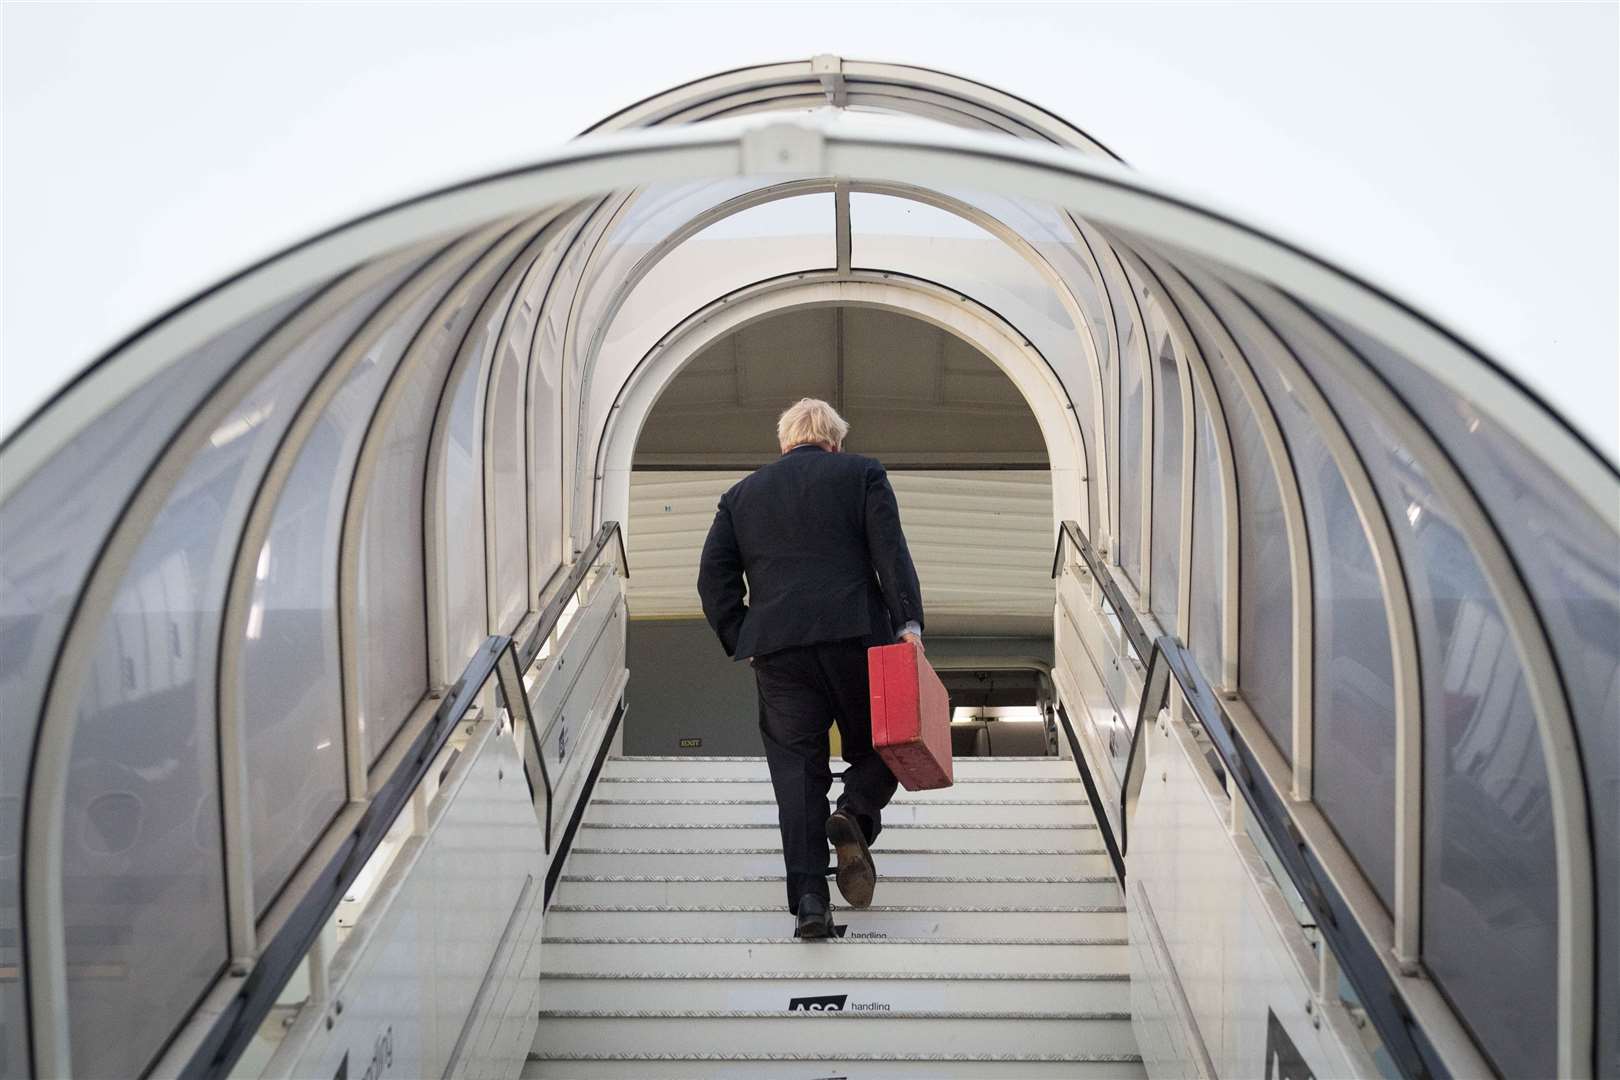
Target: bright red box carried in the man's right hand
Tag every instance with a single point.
(911, 716)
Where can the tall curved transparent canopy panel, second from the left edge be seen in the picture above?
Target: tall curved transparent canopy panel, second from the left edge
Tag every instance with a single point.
(143, 867)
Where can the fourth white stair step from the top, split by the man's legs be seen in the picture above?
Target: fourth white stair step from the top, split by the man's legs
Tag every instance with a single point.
(897, 838)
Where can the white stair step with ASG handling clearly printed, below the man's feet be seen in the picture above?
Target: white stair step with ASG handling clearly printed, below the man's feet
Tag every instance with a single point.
(746, 989)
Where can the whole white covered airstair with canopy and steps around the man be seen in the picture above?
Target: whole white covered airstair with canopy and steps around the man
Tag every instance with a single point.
(343, 738)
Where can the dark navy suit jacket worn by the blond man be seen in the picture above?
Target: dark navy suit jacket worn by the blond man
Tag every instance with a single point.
(819, 537)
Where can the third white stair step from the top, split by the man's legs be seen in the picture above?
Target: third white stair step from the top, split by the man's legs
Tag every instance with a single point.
(762, 812)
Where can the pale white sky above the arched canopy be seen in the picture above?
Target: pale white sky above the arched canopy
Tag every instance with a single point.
(1462, 156)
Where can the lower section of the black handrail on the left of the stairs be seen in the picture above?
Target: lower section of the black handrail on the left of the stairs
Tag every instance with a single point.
(241, 1019)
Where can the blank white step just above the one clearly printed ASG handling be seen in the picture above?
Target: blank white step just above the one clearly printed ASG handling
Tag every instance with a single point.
(848, 958)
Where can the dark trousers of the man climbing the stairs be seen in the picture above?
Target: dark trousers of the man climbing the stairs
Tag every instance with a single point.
(803, 694)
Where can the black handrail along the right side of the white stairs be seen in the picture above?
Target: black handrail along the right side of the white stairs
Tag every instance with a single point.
(1242, 775)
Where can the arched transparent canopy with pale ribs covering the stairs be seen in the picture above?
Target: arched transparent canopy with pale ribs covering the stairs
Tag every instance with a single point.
(1392, 558)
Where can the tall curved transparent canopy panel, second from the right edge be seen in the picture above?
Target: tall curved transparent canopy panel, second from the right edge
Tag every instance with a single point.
(1490, 877)
